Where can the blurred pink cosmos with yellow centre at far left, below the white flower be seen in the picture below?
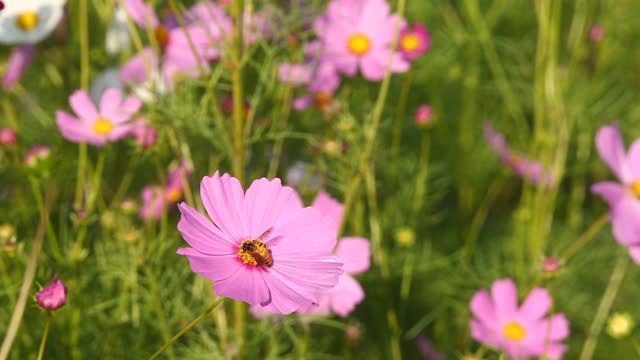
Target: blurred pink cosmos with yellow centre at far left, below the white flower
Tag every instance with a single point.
(95, 126)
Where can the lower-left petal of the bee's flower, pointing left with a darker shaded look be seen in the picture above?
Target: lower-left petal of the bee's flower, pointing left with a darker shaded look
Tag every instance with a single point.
(213, 267)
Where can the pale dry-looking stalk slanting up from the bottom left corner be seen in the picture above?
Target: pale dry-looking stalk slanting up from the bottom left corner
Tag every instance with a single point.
(27, 281)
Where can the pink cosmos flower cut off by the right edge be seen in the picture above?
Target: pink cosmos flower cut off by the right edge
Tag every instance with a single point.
(622, 197)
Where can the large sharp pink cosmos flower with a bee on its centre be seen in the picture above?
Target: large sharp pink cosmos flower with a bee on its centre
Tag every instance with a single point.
(262, 247)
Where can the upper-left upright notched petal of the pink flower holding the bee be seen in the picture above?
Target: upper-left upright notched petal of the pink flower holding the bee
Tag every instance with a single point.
(223, 198)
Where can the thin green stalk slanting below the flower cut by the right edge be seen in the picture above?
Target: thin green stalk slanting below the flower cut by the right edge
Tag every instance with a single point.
(605, 306)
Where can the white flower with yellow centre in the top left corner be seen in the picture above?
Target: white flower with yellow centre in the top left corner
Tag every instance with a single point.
(29, 21)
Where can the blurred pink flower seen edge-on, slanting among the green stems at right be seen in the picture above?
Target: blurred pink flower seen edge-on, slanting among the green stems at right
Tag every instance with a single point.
(531, 170)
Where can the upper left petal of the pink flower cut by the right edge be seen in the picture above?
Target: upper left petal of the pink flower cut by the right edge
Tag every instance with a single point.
(611, 148)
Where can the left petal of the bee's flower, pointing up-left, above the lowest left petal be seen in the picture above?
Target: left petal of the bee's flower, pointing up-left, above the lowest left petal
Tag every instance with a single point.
(200, 233)
